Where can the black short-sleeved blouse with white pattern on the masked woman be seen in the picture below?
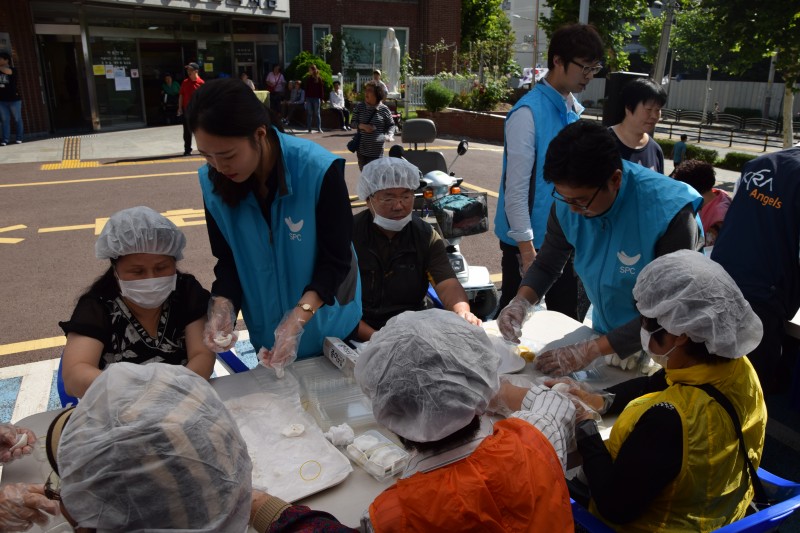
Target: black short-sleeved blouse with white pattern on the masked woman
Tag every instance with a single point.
(105, 317)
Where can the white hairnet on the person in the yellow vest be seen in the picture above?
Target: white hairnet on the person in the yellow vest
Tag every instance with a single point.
(688, 293)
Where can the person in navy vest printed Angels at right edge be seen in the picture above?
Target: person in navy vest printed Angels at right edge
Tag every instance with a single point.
(759, 246)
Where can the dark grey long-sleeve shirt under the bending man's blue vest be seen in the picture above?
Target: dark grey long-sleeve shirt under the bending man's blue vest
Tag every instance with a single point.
(682, 233)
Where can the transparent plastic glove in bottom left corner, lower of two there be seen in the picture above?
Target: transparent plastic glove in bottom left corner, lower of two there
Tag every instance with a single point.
(22, 505)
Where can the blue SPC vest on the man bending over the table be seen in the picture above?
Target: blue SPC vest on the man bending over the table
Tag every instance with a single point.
(611, 249)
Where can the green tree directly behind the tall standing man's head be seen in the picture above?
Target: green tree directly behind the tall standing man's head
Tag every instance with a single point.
(613, 19)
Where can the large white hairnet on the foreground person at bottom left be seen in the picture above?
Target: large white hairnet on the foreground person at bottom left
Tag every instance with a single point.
(152, 447)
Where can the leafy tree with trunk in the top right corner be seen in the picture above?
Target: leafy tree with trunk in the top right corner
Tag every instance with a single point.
(755, 30)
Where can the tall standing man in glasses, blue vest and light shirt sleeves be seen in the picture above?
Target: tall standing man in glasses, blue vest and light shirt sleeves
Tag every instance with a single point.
(573, 59)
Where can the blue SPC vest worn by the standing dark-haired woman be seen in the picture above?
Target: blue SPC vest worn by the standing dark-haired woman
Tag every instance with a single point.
(275, 266)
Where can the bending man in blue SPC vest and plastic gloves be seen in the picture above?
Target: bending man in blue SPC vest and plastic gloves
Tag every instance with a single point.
(615, 217)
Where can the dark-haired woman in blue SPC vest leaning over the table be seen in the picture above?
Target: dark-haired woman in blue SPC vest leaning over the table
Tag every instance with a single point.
(280, 225)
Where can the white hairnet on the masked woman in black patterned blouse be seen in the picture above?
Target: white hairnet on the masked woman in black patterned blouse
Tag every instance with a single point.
(139, 230)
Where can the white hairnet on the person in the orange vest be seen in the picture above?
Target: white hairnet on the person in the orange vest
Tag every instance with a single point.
(428, 373)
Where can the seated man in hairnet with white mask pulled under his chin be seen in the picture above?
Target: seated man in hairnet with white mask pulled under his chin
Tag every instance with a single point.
(399, 253)
